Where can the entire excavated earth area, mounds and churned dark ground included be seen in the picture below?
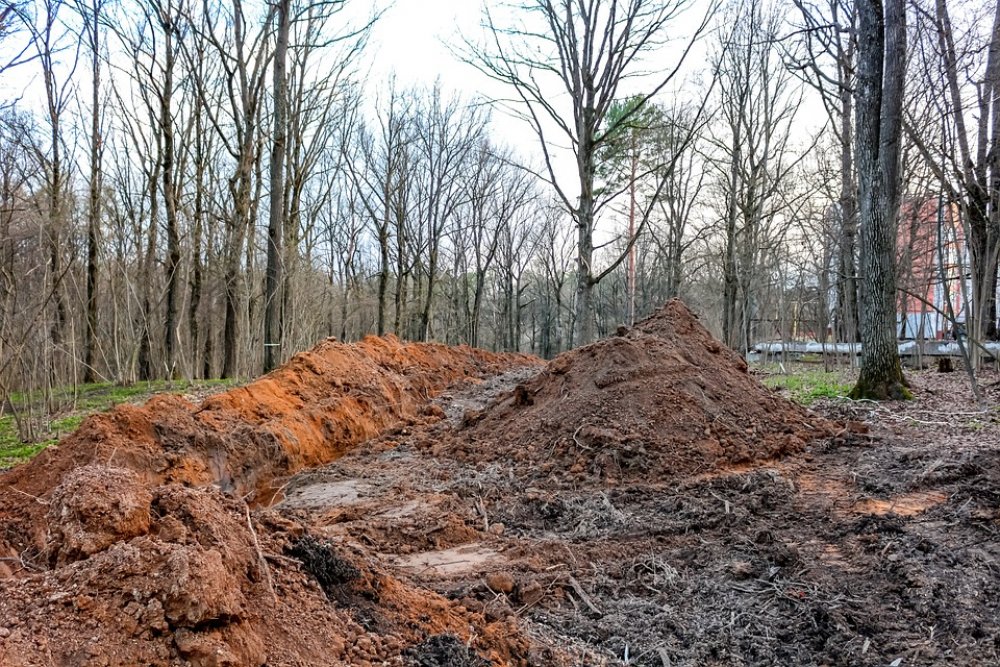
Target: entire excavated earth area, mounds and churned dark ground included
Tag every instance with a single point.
(640, 501)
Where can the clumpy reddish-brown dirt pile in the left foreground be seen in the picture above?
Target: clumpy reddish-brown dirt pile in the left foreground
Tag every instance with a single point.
(205, 584)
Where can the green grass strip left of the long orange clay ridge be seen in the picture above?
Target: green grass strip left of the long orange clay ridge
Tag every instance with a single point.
(71, 406)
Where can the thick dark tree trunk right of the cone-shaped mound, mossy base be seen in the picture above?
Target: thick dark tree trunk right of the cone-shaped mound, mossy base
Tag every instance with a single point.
(879, 101)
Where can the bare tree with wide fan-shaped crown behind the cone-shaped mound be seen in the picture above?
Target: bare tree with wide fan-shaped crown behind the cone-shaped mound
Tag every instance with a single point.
(586, 50)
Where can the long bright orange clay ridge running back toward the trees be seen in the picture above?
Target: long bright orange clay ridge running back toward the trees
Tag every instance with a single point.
(244, 441)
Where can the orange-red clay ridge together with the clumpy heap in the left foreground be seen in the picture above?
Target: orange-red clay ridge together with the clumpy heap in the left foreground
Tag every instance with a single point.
(132, 541)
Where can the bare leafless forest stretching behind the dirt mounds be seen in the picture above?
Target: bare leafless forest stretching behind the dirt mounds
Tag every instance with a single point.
(200, 189)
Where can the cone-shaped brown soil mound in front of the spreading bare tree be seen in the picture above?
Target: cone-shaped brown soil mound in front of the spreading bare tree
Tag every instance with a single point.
(662, 400)
